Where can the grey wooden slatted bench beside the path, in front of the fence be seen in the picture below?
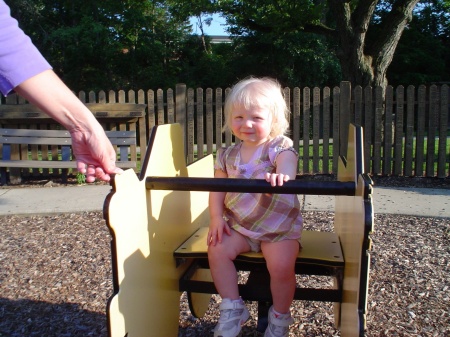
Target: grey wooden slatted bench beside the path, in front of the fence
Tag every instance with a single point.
(54, 150)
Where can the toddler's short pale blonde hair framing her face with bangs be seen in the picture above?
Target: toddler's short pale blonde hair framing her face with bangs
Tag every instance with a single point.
(263, 93)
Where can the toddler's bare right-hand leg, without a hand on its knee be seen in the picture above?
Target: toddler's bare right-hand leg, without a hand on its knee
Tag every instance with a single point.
(280, 258)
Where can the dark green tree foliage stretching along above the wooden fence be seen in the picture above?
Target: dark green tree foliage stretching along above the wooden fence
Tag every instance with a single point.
(148, 44)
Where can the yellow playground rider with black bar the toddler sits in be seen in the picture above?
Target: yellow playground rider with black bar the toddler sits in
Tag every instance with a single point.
(159, 222)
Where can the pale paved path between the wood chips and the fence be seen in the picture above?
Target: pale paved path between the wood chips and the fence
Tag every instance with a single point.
(53, 200)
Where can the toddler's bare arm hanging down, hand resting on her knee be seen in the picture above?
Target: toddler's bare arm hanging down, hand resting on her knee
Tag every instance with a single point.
(217, 225)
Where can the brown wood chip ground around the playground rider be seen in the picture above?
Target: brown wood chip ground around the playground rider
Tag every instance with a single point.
(55, 280)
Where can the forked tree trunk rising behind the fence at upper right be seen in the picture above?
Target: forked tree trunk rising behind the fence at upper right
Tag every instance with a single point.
(363, 64)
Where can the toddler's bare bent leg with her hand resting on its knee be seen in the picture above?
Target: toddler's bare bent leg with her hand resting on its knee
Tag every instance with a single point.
(221, 257)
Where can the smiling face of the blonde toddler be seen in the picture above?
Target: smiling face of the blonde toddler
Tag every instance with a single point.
(253, 125)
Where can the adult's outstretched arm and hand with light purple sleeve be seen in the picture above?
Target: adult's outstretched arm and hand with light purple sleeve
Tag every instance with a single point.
(24, 69)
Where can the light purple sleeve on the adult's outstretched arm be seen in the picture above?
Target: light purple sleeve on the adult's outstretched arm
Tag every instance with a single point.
(19, 58)
